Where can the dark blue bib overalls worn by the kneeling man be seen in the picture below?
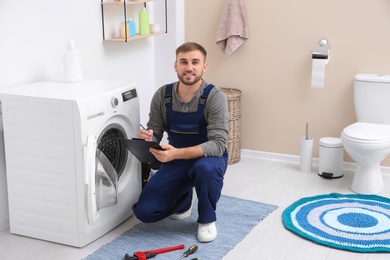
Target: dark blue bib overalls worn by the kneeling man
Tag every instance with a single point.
(169, 191)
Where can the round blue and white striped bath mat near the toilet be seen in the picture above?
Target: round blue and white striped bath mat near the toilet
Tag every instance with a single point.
(353, 222)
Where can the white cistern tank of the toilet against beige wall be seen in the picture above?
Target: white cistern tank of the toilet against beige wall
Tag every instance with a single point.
(372, 98)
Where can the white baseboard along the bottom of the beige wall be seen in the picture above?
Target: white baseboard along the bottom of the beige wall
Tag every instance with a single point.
(347, 166)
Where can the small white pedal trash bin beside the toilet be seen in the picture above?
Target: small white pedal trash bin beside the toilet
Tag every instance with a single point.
(331, 155)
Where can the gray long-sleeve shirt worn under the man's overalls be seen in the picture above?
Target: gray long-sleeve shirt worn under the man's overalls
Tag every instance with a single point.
(215, 112)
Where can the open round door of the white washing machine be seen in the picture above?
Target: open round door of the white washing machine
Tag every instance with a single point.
(101, 180)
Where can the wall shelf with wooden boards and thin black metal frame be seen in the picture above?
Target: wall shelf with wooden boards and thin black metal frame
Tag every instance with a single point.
(124, 4)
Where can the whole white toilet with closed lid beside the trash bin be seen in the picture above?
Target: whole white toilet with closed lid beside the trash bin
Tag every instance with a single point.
(368, 140)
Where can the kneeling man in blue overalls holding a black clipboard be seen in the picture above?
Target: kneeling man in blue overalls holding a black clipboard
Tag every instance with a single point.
(195, 116)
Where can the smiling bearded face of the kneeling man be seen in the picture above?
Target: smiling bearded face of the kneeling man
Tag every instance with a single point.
(190, 67)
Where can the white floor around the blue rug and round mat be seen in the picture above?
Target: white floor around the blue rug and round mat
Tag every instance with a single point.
(268, 181)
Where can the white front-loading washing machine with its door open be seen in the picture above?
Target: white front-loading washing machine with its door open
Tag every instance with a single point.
(69, 179)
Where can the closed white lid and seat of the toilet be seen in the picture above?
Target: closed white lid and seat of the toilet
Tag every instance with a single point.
(367, 132)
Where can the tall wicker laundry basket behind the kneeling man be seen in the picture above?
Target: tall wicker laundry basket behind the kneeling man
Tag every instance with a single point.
(234, 141)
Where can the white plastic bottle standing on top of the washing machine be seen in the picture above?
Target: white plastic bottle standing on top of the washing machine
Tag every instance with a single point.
(72, 64)
